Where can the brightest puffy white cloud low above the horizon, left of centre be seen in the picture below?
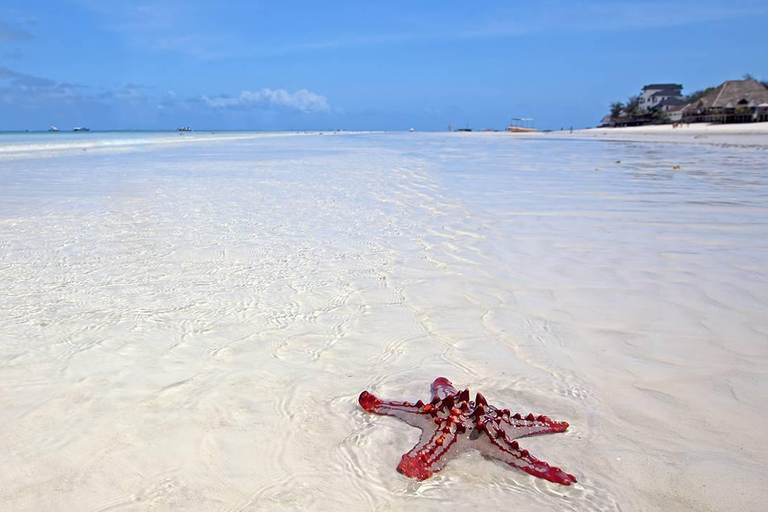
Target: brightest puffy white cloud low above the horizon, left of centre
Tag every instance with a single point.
(301, 100)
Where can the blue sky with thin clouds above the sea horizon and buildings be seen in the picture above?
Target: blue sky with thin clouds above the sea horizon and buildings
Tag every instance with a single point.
(233, 64)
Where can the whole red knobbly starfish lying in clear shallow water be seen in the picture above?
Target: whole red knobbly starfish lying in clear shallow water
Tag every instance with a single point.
(451, 418)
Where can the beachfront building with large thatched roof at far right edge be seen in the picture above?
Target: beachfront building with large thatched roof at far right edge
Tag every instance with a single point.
(734, 101)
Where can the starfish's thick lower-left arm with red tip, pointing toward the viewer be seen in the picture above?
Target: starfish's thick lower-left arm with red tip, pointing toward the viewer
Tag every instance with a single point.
(429, 455)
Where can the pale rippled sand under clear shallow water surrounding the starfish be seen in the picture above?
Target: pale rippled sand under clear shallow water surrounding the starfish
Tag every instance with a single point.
(188, 326)
